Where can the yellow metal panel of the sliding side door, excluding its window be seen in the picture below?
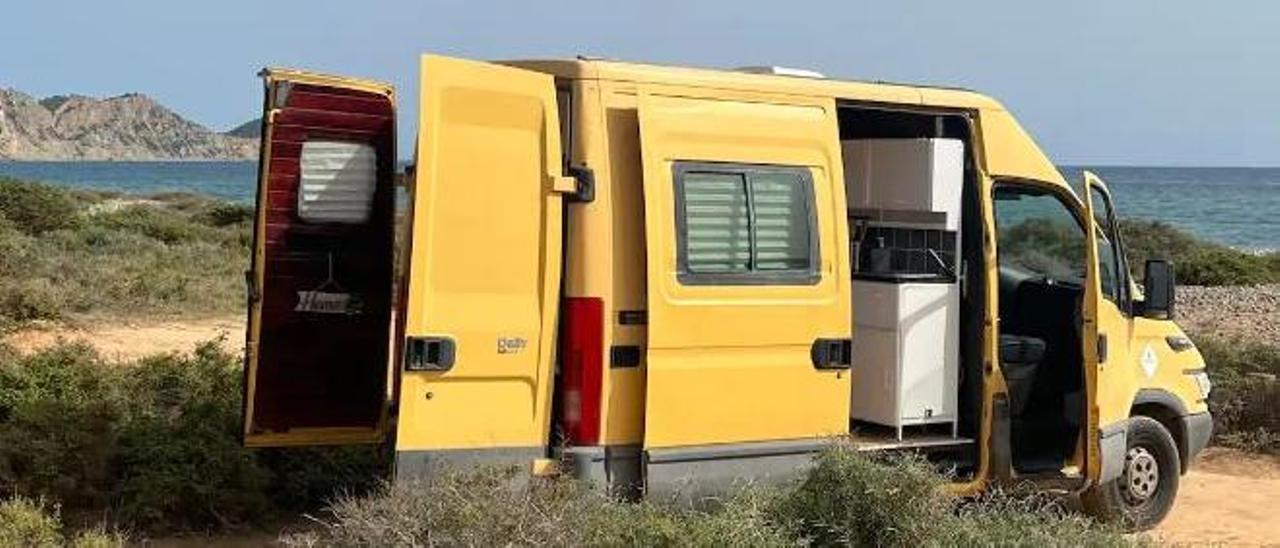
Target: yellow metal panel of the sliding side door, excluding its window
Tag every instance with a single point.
(732, 363)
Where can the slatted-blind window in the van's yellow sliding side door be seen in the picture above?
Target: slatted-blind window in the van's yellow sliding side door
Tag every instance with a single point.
(746, 225)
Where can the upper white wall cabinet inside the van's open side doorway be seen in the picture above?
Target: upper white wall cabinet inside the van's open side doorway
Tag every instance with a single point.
(906, 175)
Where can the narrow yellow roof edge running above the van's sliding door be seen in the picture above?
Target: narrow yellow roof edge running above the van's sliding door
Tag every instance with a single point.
(593, 68)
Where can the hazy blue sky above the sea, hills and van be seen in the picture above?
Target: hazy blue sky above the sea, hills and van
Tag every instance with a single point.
(1140, 83)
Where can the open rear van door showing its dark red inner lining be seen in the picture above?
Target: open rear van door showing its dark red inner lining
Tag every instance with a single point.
(321, 286)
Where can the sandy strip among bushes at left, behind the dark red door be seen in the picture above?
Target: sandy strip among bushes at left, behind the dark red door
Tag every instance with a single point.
(136, 339)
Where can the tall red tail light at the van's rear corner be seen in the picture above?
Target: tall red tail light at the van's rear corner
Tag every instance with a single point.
(583, 369)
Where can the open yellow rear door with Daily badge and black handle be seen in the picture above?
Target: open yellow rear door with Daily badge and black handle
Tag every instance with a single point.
(484, 267)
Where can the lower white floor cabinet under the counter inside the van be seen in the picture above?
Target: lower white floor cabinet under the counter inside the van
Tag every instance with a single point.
(906, 354)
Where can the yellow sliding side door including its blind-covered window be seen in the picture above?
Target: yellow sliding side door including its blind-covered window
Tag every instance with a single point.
(749, 296)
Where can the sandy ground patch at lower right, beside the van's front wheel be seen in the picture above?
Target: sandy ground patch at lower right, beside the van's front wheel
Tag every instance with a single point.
(1228, 499)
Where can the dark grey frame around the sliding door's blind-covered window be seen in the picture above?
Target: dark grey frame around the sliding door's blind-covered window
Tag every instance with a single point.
(810, 276)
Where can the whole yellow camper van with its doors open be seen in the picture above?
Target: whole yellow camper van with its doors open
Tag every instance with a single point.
(665, 280)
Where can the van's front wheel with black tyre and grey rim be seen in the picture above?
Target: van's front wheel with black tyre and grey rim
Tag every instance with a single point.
(1146, 490)
